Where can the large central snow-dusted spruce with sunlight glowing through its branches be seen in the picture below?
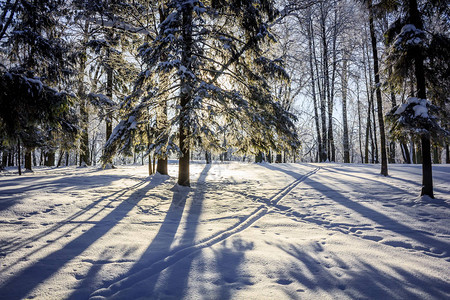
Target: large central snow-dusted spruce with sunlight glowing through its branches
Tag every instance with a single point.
(209, 65)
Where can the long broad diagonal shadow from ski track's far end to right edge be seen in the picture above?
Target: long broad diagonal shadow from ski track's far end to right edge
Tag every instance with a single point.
(442, 249)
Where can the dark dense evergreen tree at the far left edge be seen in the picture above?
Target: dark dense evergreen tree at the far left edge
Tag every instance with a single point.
(33, 111)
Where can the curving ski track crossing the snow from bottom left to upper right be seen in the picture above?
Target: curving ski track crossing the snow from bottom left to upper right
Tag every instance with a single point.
(178, 254)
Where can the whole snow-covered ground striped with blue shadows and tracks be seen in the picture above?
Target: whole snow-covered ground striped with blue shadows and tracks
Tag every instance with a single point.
(242, 231)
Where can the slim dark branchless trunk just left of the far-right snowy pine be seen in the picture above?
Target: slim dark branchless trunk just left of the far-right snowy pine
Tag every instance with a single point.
(384, 168)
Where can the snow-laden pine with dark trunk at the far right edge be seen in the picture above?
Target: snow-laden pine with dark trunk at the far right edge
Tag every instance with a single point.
(408, 49)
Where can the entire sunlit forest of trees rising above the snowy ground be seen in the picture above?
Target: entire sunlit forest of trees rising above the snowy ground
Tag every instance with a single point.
(119, 82)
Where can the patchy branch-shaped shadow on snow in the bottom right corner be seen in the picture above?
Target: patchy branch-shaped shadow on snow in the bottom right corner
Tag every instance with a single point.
(364, 280)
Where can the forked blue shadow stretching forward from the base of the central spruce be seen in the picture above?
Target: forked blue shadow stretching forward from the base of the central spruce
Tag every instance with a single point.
(152, 277)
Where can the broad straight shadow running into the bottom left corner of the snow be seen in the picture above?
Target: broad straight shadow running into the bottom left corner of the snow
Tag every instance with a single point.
(18, 286)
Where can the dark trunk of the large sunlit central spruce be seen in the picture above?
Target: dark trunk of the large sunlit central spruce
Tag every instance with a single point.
(185, 98)
